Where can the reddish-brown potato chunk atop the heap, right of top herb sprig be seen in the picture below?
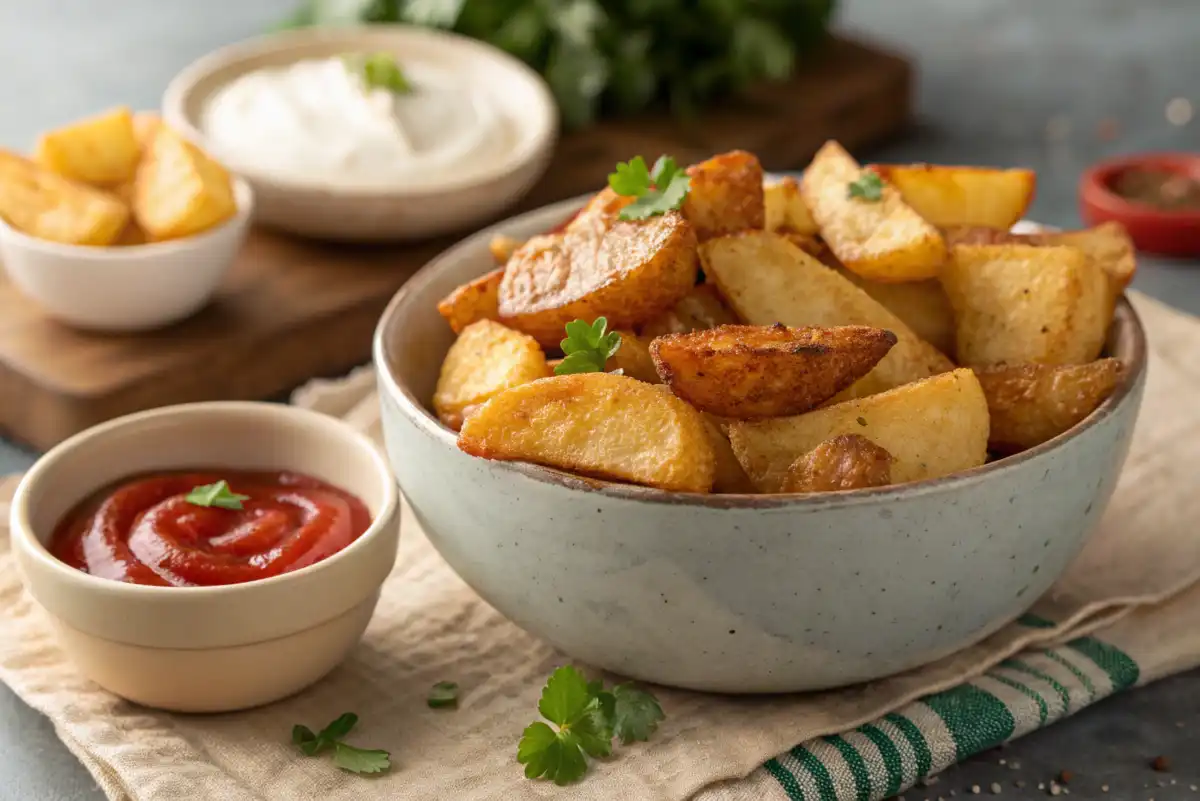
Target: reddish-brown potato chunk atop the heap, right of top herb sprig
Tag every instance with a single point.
(725, 195)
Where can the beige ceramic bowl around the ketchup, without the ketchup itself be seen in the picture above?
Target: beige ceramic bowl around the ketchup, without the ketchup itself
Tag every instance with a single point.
(212, 648)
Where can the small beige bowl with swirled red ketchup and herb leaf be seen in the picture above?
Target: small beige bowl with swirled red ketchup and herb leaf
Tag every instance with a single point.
(208, 557)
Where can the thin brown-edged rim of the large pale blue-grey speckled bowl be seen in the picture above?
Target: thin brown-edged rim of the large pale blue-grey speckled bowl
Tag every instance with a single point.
(424, 420)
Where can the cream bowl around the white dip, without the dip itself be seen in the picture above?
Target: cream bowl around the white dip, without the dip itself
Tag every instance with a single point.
(391, 213)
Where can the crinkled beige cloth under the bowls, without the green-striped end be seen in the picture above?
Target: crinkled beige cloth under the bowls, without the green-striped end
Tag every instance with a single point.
(1132, 583)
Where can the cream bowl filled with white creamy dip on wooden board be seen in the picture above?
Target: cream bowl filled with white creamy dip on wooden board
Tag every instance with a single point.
(332, 161)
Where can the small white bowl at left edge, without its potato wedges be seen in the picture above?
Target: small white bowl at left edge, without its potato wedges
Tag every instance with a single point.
(127, 288)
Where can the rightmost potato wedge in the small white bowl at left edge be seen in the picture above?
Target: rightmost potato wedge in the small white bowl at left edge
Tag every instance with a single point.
(179, 190)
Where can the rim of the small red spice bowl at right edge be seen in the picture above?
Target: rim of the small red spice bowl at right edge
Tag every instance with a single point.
(1095, 189)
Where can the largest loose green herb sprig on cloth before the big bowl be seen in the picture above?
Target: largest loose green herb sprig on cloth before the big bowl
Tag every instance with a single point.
(587, 718)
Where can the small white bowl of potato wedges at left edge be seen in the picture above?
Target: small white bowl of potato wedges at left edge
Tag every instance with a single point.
(118, 224)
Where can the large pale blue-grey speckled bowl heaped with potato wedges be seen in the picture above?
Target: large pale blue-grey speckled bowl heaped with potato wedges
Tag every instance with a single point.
(730, 433)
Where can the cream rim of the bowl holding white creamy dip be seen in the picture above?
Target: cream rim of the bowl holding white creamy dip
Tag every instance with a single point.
(236, 57)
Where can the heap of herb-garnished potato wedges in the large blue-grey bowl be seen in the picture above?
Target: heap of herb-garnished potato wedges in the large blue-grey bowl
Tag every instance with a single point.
(861, 329)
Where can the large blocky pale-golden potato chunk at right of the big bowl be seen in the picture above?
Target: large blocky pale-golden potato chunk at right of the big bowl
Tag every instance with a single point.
(1022, 304)
